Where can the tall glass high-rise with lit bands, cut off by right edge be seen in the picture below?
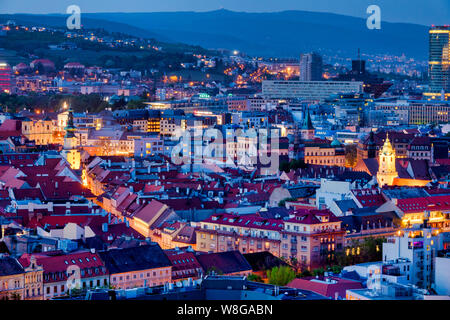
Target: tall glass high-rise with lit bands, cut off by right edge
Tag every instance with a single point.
(439, 63)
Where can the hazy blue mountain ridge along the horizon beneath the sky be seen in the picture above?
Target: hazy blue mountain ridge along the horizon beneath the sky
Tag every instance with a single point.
(283, 34)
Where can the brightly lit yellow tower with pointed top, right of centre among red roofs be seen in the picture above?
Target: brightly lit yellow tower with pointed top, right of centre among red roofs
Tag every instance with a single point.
(386, 164)
